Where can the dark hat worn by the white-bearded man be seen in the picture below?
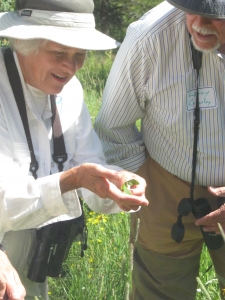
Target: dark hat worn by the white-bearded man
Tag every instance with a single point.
(207, 8)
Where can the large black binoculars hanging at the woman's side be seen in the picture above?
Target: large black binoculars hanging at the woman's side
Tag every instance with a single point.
(53, 245)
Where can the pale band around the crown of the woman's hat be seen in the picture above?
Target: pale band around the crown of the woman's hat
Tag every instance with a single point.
(54, 18)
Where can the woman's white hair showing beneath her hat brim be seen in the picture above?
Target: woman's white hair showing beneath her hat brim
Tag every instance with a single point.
(26, 47)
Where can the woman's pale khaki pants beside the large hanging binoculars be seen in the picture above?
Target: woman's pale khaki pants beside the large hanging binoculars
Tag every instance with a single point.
(20, 248)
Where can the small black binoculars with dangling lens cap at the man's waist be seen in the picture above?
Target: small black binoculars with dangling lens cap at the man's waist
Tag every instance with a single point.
(199, 209)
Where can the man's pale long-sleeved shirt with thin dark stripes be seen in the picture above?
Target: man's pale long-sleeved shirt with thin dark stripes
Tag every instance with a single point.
(153, 79)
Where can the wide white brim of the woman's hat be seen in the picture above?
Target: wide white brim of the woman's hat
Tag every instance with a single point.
(12, 26)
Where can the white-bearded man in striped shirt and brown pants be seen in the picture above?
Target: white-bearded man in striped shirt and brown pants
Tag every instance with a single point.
(178, 93)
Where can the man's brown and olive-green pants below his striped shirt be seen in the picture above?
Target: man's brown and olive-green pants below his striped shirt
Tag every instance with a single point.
(164, 269)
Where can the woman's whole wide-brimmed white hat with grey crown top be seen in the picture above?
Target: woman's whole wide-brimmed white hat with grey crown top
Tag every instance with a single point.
(67, 22)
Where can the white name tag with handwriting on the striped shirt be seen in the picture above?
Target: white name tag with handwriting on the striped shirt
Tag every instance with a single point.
(207, 98)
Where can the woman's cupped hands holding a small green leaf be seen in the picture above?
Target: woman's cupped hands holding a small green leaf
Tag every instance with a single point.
(106, 184)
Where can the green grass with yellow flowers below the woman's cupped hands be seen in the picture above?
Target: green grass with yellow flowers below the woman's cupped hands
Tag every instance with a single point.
(104, 270)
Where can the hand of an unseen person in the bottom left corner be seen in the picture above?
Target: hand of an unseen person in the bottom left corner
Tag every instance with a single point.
(11, 287)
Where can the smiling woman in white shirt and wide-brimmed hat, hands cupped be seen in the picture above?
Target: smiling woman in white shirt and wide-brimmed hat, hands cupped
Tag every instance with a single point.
(48, 148)
